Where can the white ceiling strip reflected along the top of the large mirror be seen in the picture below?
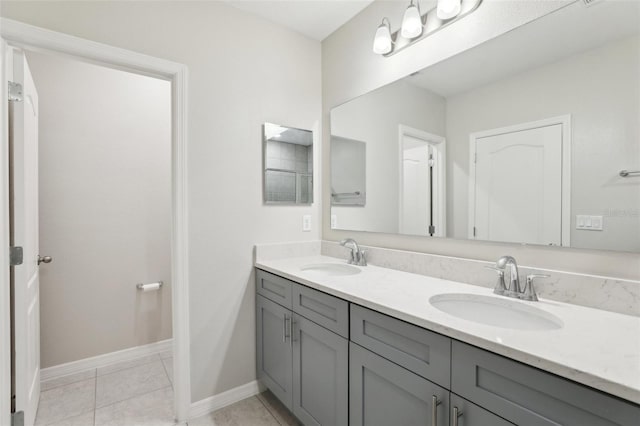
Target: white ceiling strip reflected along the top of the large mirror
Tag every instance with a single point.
(563, 33)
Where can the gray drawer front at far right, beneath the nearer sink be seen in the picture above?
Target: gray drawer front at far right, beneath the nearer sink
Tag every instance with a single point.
(527, 396)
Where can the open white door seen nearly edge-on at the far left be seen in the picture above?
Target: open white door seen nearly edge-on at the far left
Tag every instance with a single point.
(23, 139)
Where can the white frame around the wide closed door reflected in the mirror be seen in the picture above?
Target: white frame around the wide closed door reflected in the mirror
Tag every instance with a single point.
(565, 122)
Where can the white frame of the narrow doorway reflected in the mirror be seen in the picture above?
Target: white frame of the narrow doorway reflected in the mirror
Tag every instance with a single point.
(439, 144)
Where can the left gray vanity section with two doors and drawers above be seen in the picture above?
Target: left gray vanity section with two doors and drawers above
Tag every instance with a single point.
(300, 358)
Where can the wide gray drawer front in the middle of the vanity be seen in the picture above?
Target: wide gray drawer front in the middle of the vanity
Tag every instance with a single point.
(421, 351)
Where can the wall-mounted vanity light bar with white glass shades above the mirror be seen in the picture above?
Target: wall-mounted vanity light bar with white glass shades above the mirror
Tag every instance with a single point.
(417, 26)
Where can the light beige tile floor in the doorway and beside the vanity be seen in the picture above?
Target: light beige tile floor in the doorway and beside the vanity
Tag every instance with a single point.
(140, 393)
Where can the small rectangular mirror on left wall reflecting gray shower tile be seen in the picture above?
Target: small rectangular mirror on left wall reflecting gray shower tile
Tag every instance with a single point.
(288, 165)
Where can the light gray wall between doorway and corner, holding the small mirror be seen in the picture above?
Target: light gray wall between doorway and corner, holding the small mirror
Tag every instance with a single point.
(243, 71)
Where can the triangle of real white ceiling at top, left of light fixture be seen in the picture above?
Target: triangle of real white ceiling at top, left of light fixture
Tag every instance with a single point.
(314, 18)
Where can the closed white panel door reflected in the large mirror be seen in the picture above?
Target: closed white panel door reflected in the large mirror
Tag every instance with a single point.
(518, 186)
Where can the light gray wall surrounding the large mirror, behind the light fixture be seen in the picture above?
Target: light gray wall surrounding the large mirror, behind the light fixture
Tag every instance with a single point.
(351, 44)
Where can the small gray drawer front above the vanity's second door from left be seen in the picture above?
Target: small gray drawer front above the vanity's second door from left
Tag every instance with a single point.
(328, 311)
